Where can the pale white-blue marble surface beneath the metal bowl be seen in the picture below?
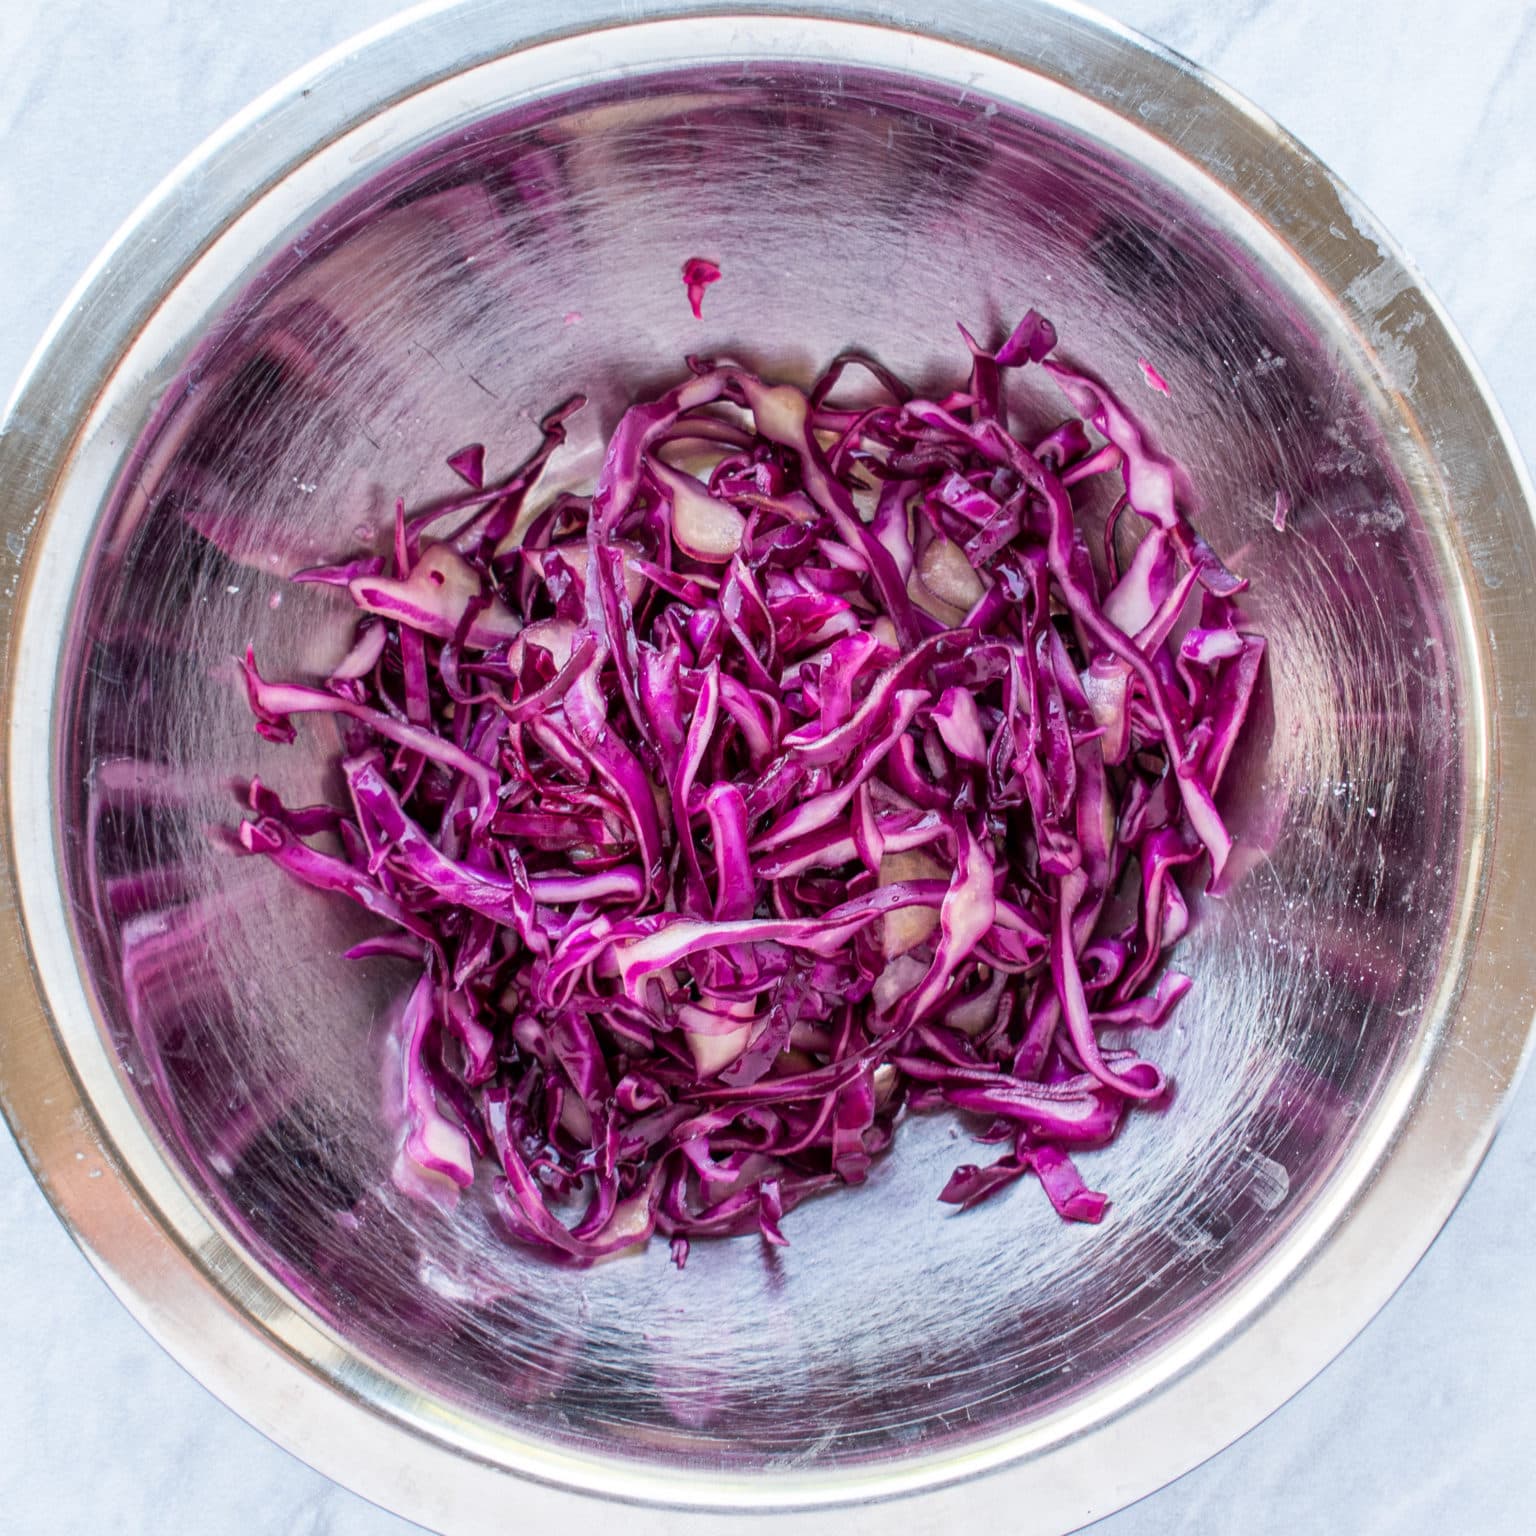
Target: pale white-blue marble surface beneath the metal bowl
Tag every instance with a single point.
(1428, 108)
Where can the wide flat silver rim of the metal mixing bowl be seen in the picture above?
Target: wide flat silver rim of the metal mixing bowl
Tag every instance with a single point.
(1415, 1153)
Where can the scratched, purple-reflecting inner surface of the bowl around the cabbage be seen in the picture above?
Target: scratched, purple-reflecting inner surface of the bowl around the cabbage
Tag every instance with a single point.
(458, 296)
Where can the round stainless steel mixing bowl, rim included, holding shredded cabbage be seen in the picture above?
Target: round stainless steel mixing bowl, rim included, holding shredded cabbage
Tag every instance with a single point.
(431, 239)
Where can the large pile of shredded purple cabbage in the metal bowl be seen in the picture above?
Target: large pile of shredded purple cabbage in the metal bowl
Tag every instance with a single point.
(810, 770)
